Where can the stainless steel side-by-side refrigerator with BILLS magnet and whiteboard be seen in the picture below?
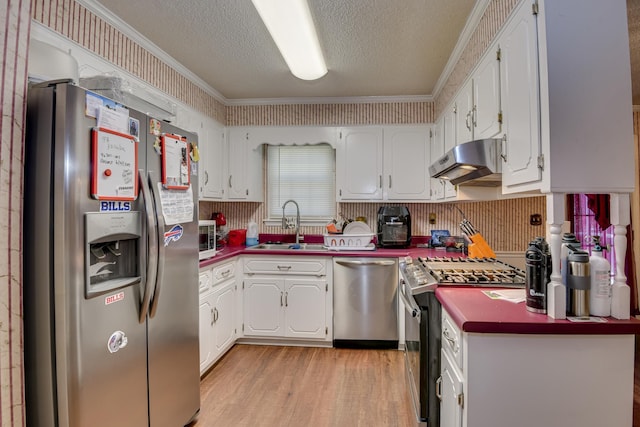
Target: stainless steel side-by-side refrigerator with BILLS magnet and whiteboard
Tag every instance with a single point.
(110, 265)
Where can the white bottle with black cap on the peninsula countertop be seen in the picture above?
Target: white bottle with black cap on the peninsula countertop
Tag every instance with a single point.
(600, 296)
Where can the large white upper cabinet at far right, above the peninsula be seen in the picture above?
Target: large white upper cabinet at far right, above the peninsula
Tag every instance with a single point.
(579, 52)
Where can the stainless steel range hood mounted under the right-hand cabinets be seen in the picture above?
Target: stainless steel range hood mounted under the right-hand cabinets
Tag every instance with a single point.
(472, 163)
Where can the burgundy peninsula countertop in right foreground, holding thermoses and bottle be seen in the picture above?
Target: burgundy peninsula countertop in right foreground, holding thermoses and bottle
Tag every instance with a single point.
(473, 311)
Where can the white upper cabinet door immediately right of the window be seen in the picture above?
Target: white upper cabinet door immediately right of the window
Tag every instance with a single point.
(359, 164)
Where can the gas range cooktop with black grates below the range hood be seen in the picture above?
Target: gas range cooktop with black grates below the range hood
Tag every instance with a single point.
(424, 274)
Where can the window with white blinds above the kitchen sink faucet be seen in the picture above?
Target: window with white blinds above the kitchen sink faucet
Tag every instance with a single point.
(306, 174)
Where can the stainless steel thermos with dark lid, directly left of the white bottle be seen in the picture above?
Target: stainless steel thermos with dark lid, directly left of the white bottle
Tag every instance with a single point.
(578, 283)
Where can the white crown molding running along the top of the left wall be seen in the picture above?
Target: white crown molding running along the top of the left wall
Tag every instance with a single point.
(126, 29)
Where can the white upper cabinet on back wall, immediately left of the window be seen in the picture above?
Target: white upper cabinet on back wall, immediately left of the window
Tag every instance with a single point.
(244, 166)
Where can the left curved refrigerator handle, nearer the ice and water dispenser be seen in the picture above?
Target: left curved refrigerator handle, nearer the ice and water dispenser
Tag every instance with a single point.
(152, 248)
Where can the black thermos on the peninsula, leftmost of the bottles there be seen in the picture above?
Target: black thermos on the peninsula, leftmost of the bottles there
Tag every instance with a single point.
(537, 275)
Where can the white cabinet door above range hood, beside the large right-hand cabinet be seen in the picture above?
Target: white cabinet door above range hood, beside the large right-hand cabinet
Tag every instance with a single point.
(486, 98)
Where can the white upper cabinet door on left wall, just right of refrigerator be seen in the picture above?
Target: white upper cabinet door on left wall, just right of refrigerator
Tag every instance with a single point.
(212, 174)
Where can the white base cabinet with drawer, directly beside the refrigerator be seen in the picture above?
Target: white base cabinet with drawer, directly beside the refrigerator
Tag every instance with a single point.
(218, 300)
